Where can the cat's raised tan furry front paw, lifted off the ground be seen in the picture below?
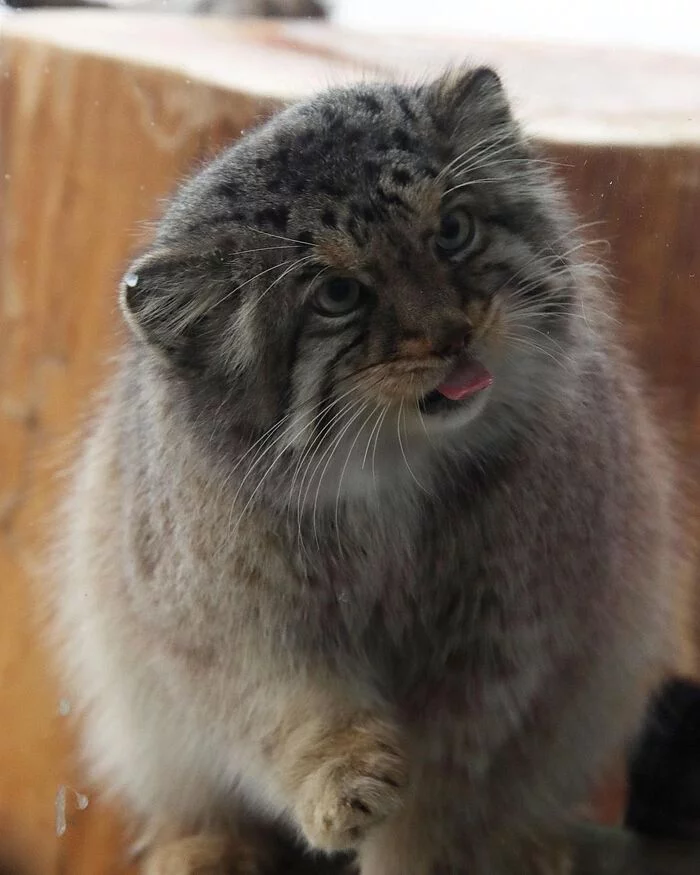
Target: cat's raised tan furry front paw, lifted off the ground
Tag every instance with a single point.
(356, 788)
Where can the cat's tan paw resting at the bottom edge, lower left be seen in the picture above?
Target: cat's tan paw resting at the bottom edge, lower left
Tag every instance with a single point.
(198, 855)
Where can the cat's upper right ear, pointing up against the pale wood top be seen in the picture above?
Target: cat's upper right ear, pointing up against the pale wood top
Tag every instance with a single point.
(468, 99)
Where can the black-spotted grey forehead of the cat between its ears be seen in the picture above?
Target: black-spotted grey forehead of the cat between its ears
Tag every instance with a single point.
(314, 163)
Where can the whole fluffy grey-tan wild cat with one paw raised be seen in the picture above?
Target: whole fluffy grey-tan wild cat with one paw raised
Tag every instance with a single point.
(300, 589)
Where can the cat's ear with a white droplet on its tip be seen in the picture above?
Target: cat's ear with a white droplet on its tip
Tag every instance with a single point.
(162, 304)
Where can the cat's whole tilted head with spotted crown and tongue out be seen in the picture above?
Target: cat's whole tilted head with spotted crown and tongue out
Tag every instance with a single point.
(382, 262)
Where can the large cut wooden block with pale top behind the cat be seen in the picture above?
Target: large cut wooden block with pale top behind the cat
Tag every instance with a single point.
(101, 113)
